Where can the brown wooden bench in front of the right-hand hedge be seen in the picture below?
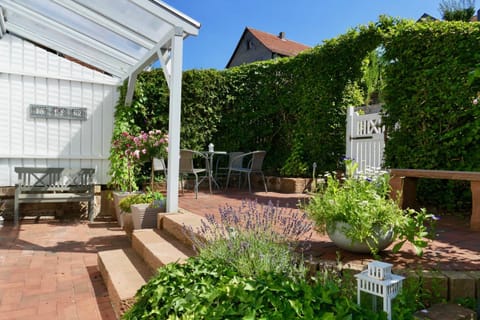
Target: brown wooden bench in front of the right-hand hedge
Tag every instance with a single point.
(405, 182)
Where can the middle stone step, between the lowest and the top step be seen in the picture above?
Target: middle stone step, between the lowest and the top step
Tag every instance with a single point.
(158, 248)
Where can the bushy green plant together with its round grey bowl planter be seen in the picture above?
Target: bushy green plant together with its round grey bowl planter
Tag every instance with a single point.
(358, 214)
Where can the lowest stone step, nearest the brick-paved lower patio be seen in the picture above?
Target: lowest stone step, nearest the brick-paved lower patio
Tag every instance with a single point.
(123, 272)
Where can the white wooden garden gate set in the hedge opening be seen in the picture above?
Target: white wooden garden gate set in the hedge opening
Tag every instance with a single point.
(365, 139)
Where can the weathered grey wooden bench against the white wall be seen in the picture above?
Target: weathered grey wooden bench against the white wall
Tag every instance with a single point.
(52, 185)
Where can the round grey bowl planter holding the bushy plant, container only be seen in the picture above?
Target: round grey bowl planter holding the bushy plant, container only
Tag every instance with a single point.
(380, 241)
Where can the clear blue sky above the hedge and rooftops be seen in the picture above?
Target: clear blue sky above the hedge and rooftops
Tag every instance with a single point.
(305, 21)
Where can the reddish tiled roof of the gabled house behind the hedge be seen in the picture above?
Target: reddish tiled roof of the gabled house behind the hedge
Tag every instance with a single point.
(275, 43)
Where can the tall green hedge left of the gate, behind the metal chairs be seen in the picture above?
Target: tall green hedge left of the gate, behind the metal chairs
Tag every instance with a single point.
(294, 108)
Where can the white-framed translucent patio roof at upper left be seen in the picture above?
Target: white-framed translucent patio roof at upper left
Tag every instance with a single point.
(117, 37)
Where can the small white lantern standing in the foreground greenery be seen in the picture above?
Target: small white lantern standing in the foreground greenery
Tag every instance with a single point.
(379, 281)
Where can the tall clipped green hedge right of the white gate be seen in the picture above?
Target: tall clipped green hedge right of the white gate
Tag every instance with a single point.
(429, 115)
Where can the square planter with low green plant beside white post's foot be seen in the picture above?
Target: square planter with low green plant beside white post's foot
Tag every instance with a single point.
(141, 210)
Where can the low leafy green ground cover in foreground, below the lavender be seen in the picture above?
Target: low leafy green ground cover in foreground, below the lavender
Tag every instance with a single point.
(209, 289)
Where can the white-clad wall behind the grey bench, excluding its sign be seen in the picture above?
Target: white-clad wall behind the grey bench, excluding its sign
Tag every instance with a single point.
(31, 75)
